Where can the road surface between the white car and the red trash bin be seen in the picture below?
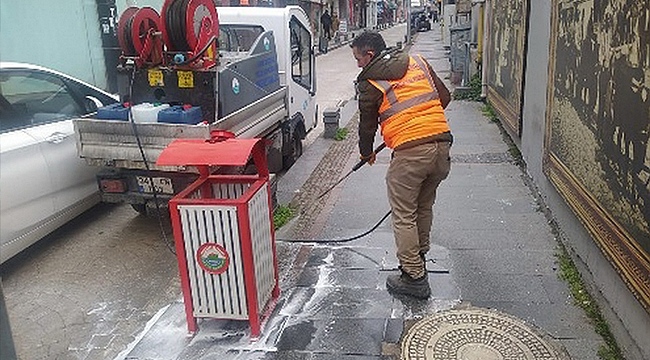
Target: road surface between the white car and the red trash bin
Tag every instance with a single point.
(88, 289)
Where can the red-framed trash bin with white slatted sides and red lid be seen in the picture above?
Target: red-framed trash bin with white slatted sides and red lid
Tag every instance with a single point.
(223, 232)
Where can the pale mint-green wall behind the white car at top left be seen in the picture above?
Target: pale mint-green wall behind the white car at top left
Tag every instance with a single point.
(62, 35)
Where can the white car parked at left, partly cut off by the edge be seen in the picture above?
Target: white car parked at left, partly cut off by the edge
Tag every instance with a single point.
(43, 182)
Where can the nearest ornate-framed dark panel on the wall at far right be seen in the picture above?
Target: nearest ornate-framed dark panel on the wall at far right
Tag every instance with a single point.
(597, 151)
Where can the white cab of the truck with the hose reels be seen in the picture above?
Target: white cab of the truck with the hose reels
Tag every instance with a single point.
(239, 26)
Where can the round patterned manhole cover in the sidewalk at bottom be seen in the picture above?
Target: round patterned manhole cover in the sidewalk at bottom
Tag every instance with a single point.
(475, 334)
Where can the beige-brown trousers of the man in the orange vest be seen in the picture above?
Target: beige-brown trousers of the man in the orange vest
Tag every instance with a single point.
(412, 180)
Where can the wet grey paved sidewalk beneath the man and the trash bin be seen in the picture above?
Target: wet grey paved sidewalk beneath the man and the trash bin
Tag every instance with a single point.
(492, 256)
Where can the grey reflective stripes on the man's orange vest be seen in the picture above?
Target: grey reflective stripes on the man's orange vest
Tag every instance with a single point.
(389, 92)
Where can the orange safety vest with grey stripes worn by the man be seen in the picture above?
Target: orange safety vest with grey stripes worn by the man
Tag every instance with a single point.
(411, 108)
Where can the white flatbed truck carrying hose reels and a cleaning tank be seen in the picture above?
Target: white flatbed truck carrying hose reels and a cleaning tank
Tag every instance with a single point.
(264, 85)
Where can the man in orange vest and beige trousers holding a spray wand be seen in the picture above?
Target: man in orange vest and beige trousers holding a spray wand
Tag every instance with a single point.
(403, 95)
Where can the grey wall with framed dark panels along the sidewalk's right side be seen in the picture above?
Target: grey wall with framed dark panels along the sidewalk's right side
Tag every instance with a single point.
(570, 82)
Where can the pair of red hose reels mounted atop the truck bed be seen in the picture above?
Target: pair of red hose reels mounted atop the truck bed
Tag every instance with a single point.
(189, 30)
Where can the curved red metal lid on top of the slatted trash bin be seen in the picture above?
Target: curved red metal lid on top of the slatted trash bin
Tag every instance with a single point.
(199, 152)
